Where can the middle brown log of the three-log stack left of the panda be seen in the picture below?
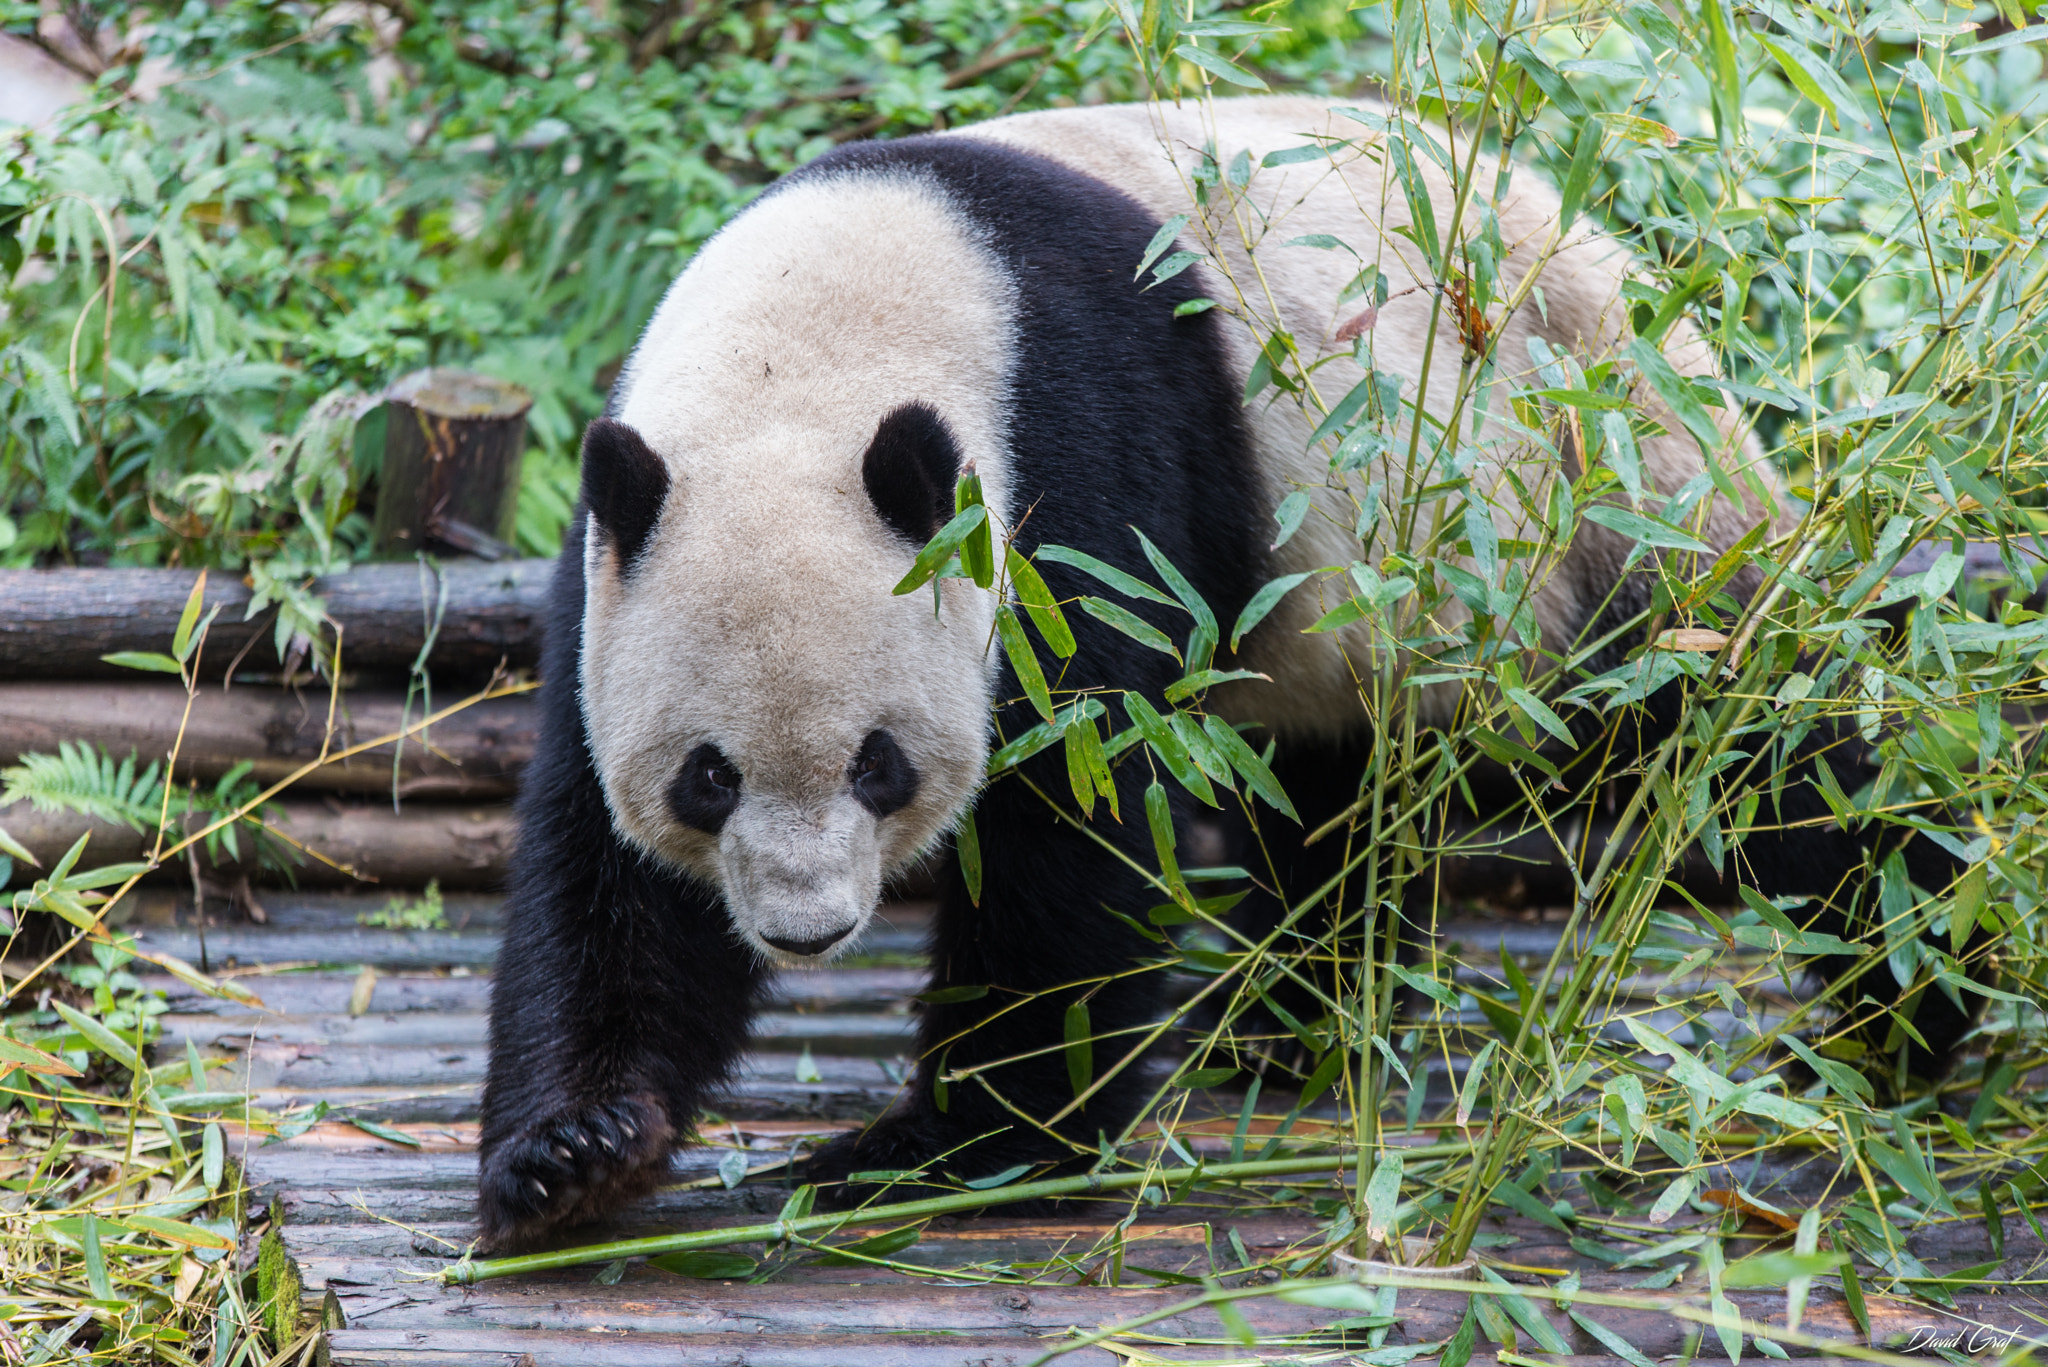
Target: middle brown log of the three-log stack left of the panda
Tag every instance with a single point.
(474, 755)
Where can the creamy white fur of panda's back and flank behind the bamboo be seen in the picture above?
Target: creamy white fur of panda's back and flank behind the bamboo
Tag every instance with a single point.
(1355, 196)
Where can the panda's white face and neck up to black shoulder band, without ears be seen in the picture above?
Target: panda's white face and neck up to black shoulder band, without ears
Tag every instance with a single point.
(763, 710)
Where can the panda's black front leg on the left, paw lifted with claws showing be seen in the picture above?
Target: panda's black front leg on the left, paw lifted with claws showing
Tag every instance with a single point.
(620, 997)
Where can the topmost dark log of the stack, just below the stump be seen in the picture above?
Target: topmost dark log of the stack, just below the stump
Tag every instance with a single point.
(56, 624)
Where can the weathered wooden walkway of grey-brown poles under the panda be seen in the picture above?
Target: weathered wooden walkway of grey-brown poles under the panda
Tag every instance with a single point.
(372, 1220)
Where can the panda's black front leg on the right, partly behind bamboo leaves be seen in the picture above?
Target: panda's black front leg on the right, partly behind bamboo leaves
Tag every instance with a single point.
(1039, 942)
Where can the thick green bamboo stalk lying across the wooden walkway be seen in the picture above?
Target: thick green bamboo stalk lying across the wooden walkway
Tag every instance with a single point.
(468, 1274)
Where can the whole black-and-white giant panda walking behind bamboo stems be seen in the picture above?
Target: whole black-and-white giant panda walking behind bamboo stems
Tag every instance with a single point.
(746, 733)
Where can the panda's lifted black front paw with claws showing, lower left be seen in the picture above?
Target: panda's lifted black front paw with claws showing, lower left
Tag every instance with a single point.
(572, 1167)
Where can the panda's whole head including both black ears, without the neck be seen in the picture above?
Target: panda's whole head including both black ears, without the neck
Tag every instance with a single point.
(763, 710)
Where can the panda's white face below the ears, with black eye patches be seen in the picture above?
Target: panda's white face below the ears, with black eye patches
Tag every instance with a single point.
(775, 731)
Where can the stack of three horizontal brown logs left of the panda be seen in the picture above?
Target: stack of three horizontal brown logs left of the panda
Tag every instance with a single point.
(431, 809)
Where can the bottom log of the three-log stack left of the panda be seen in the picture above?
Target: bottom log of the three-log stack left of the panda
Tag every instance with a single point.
(462, 847)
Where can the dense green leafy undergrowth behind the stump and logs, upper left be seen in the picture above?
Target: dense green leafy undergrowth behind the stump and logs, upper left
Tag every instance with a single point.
(222, 276)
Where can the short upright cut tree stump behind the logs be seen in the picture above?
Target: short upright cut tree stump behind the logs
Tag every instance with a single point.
(452, 460)
